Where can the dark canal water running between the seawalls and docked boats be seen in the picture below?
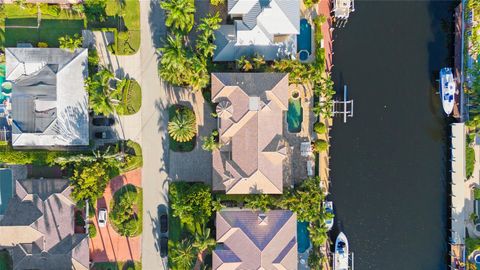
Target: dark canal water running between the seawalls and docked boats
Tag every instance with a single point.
(389, 162)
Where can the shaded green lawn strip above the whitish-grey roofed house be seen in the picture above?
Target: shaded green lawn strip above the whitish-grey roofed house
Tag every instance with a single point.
(49, 31)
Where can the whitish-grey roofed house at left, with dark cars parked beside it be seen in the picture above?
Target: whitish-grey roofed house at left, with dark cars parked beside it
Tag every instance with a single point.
(49, 100)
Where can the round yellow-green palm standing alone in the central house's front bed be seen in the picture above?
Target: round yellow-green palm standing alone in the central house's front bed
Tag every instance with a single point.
(182, 127)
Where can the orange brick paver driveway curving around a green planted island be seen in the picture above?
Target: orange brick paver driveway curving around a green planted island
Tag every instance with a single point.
(108, 245)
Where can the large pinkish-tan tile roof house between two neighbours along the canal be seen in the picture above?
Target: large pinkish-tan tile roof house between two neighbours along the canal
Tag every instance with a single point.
(250, 112)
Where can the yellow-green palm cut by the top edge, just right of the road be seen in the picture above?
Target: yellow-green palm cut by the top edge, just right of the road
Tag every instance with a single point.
(180, 14)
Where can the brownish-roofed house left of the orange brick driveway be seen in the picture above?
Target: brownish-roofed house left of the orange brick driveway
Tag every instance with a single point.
(38, 227)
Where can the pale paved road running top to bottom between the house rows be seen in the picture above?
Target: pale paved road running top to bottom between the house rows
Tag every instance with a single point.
(154, 121)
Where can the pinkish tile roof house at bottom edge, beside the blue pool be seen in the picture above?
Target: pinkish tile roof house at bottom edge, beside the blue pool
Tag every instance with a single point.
(254, 240)
